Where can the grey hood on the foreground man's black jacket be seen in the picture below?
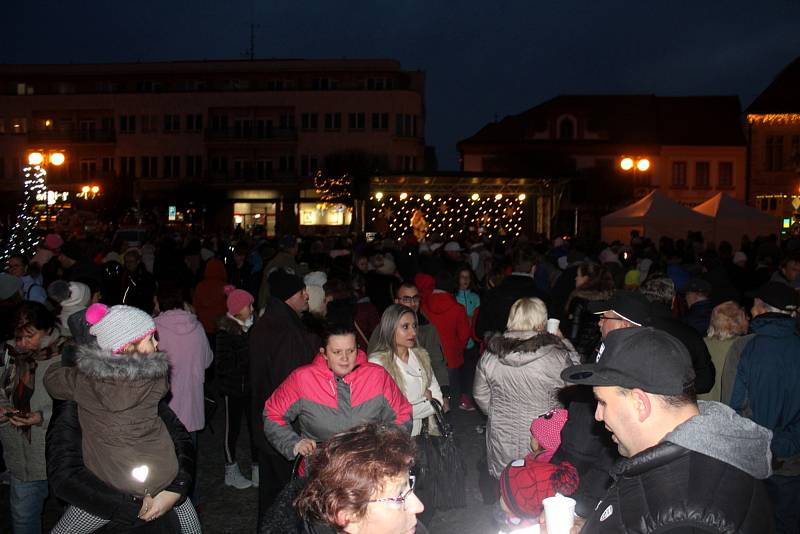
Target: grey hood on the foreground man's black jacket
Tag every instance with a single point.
(719, 432)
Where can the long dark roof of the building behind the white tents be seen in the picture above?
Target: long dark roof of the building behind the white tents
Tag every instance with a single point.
(626, 119)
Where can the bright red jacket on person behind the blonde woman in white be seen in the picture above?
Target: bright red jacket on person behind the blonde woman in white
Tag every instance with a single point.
(451, 322)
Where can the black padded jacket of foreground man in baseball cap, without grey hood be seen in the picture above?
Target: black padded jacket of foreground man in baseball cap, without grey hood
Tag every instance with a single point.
(669, 489)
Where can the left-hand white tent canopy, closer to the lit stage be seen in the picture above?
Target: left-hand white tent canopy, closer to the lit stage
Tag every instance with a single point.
(654, 216)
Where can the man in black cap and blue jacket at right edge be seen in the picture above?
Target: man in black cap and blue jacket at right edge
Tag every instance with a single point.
(767, 389)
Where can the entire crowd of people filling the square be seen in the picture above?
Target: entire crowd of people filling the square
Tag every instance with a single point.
(653, 382)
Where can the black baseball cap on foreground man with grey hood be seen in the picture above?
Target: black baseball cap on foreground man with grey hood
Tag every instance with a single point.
(638, 357)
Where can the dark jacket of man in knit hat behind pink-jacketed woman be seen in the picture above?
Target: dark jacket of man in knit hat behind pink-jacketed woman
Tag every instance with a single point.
(279, 344)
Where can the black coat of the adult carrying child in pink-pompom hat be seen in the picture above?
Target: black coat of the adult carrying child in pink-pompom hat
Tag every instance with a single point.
(75, 484)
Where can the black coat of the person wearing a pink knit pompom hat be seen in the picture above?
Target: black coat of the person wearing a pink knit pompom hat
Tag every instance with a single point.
(232, 358)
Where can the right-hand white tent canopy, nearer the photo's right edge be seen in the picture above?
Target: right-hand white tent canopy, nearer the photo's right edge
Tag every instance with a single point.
(733, 219)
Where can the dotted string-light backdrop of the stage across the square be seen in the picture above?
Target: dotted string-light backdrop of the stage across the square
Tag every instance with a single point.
(450, 216)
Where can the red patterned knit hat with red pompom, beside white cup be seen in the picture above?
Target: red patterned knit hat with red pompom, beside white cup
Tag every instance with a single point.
(525, 483)
